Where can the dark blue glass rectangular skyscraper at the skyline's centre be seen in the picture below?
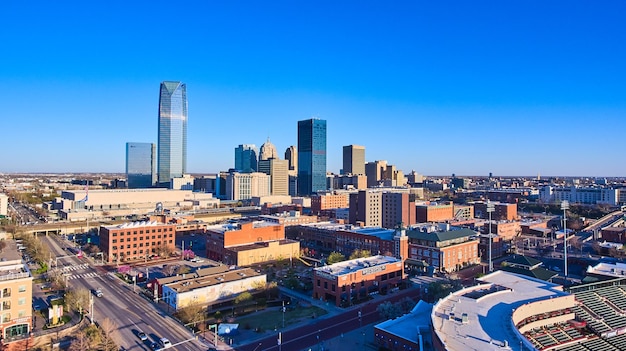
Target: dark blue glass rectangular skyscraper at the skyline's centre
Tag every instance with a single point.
(311, 156)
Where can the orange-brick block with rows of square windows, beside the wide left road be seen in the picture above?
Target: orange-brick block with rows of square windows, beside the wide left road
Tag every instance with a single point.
(136, 240)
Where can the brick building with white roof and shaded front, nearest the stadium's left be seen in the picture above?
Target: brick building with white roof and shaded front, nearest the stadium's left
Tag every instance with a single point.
(348, 282)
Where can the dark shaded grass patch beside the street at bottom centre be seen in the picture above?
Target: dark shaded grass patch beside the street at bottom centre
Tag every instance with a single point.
(272, 319)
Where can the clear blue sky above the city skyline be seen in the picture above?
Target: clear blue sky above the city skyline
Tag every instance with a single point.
(513, 88)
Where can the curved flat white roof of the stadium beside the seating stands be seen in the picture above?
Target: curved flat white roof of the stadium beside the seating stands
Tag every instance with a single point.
(489, 318)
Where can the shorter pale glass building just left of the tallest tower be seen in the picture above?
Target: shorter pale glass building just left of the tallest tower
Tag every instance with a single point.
(140, 165)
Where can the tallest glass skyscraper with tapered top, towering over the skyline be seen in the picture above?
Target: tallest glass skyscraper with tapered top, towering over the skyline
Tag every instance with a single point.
(172, 157)
